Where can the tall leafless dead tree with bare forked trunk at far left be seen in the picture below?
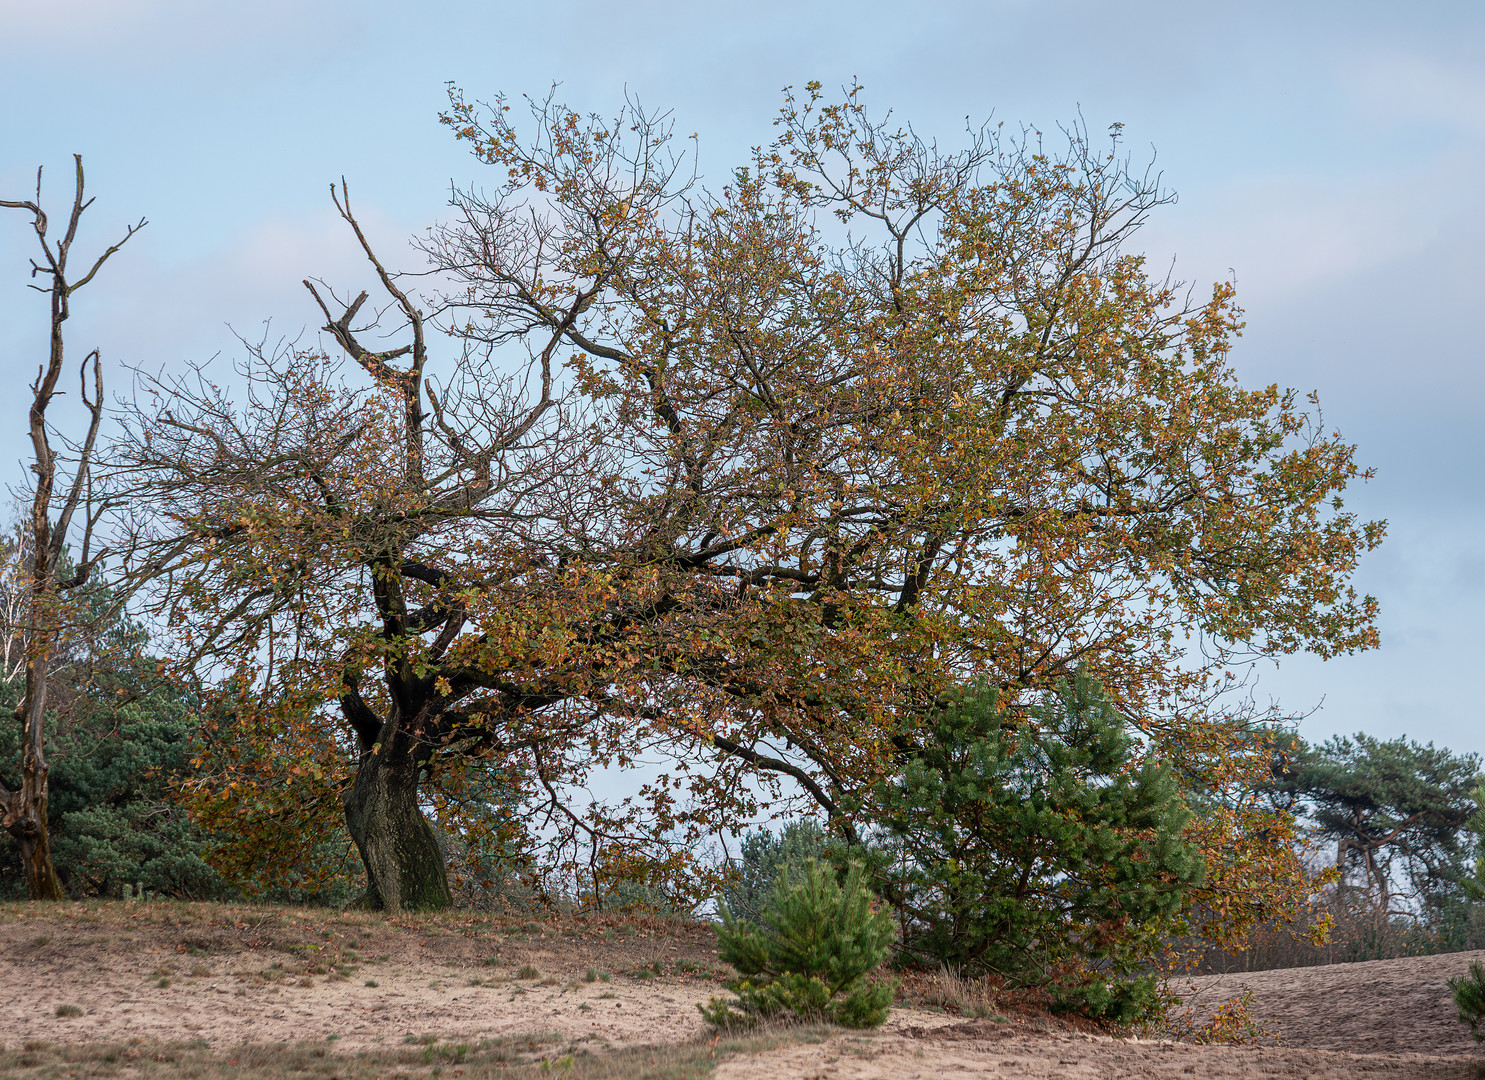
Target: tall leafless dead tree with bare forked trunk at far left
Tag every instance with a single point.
(23, 812)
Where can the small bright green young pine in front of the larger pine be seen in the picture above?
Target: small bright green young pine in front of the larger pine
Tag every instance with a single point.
(810, 956)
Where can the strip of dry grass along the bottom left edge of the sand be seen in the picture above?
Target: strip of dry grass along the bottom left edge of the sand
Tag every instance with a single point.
(510, 1058)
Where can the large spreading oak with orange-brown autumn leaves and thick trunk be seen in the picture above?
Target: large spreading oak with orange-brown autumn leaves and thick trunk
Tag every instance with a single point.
(734, 485)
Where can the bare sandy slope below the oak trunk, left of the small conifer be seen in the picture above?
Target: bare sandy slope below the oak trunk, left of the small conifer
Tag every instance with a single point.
(281, 977)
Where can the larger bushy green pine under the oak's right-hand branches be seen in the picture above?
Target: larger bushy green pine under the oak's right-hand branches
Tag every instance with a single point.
(1043, 849)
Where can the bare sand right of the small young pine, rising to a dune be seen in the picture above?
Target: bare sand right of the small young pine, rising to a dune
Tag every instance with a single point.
(1385, 1018)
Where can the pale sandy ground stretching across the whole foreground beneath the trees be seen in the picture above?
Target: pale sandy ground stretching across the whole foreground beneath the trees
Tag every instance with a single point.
(249, 977)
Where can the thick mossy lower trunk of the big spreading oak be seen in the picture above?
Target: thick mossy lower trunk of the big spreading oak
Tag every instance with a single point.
(397, 845)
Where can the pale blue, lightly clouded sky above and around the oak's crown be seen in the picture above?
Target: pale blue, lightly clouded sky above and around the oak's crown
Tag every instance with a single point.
(1328, 155)
